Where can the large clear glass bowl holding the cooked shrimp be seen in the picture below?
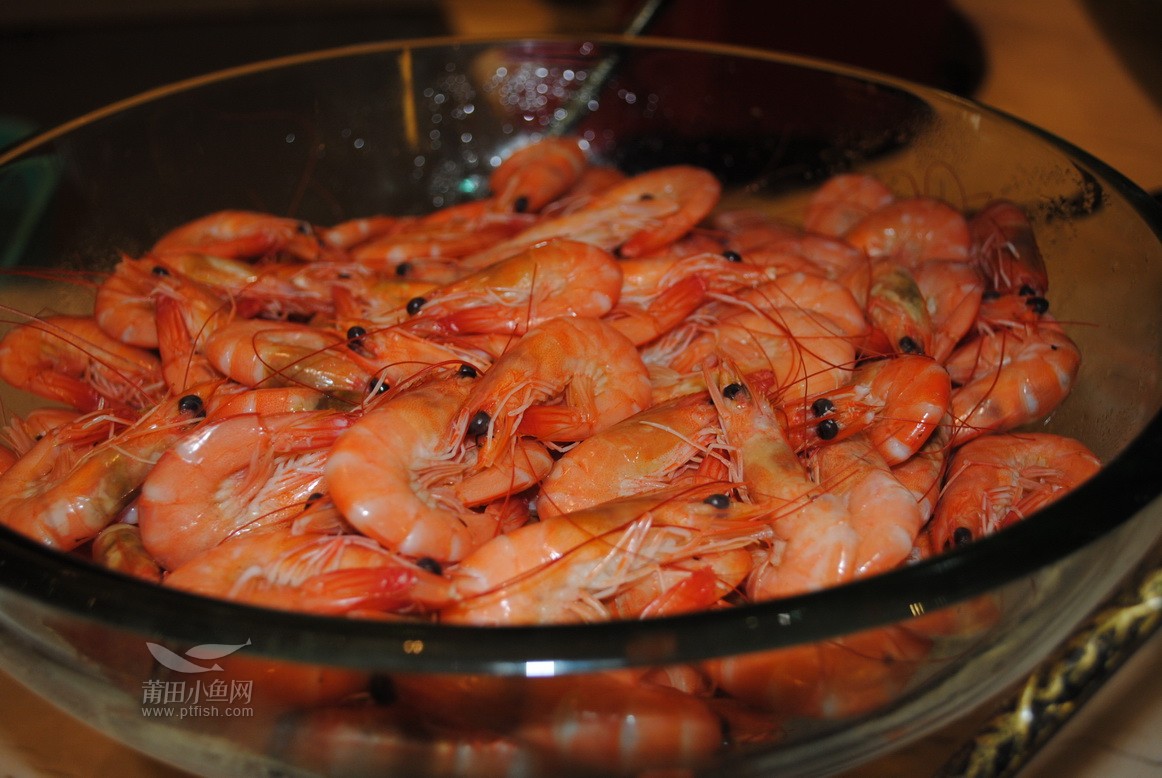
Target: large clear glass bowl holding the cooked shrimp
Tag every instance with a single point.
(824, 681)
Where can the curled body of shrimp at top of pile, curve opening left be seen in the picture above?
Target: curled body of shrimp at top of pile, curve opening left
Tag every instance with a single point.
(693, 191)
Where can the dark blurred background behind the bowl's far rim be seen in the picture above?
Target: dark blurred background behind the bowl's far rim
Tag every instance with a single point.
(63, 59)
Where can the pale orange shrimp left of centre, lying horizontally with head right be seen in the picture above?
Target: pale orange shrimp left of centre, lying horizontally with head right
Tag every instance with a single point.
(256, 352)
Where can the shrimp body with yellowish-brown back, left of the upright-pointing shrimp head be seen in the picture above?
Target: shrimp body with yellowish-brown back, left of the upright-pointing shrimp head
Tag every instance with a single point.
(643, 453)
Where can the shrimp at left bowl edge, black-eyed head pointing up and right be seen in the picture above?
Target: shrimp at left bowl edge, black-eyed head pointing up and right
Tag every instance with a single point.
(77, 479)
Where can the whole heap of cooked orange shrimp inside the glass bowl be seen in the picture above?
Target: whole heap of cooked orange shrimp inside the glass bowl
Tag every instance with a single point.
(589, 397)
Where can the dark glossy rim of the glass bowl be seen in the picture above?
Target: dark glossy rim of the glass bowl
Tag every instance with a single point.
(1127, 485)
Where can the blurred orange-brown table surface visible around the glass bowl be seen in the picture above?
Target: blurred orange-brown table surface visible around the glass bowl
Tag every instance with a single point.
(1065, 66)
